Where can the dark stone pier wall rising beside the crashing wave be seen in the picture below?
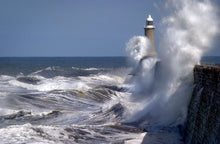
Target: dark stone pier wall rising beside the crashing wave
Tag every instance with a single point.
(203, 120)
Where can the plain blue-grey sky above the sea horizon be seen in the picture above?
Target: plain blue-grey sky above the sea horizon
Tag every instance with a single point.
(42, 28)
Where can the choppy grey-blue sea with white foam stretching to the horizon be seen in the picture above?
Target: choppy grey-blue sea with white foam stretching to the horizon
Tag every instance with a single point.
(68, 100)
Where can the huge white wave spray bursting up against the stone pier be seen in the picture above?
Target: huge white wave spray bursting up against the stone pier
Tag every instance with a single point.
(162, 85)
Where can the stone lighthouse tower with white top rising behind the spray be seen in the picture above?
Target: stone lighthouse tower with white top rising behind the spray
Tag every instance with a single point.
(149, 33)
